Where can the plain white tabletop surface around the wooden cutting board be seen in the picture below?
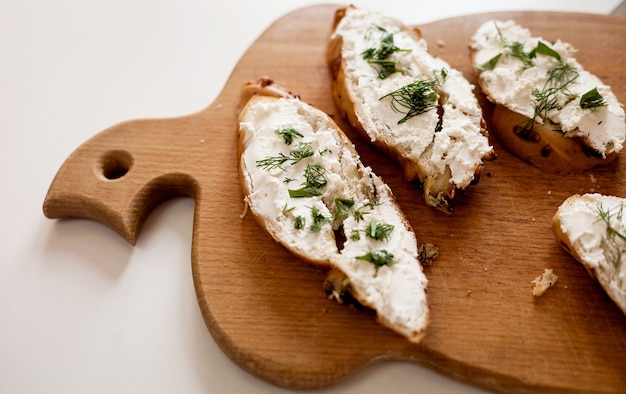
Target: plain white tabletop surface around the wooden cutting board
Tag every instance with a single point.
(81, 310)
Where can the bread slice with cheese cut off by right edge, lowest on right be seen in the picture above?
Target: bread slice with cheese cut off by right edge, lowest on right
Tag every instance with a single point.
(592, 228)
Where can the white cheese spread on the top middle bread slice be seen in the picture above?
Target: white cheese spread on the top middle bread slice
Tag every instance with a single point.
(459, 144)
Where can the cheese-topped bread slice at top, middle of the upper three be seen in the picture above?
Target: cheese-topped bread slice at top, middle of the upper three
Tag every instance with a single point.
(443, 147)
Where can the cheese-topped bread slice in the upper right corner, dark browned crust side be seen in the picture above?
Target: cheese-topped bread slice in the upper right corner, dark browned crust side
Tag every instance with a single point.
(565, 138)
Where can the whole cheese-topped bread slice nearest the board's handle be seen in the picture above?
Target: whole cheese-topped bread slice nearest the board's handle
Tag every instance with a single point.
(328, 208)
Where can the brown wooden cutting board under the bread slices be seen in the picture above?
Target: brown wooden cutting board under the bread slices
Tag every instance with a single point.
(266, 309)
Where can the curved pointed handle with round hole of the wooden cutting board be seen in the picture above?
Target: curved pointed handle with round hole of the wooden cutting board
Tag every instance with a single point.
(120, 174)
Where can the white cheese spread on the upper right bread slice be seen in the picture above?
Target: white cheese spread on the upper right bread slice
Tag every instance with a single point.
(511, 85)
